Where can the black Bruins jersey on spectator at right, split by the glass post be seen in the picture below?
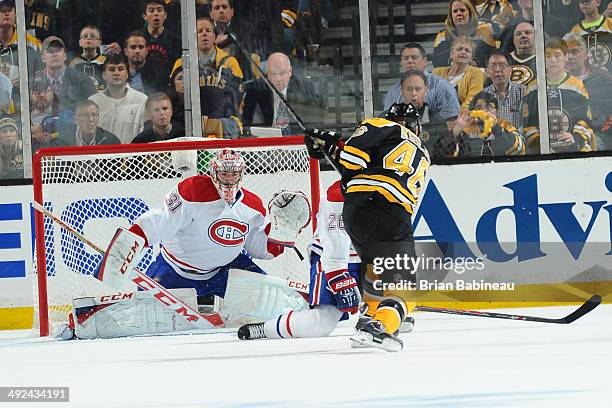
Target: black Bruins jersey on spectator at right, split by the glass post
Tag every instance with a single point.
(568, 111)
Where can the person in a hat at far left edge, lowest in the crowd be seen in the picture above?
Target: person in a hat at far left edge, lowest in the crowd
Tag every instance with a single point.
(11, 149)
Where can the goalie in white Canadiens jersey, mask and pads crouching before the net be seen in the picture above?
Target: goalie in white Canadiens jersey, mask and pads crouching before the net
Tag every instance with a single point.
(209, 229)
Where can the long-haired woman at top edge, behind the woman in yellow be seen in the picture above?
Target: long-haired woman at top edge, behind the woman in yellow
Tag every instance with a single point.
(462, 19)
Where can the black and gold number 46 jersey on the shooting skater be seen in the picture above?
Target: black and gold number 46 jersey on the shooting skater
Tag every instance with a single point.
(386, 162)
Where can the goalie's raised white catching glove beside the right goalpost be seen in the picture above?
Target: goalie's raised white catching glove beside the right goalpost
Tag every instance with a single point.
(290, 214)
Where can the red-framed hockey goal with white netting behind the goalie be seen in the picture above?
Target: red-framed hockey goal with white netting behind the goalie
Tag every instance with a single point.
(96, 189)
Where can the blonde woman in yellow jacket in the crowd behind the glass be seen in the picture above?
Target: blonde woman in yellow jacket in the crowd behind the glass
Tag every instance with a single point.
(467, 79)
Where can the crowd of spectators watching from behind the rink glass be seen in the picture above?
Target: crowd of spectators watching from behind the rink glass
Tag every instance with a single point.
(116, 75)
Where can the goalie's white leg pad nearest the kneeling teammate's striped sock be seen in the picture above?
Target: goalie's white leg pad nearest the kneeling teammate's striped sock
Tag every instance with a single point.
(253, 297)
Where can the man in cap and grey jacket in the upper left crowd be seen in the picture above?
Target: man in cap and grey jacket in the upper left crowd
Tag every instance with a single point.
(69, 85)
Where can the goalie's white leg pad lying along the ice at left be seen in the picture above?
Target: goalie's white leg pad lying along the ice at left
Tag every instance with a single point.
(136, 314)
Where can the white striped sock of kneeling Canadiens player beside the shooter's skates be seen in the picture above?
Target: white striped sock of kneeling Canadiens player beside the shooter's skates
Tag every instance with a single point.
(317, 322)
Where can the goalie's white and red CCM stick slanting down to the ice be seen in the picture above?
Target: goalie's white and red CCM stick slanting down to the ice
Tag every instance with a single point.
(147, 284)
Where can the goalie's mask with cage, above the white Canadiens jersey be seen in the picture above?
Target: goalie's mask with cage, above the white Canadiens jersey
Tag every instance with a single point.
(226, 171)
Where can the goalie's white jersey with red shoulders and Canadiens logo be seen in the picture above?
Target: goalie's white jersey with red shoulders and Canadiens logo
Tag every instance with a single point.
(200, 232)
